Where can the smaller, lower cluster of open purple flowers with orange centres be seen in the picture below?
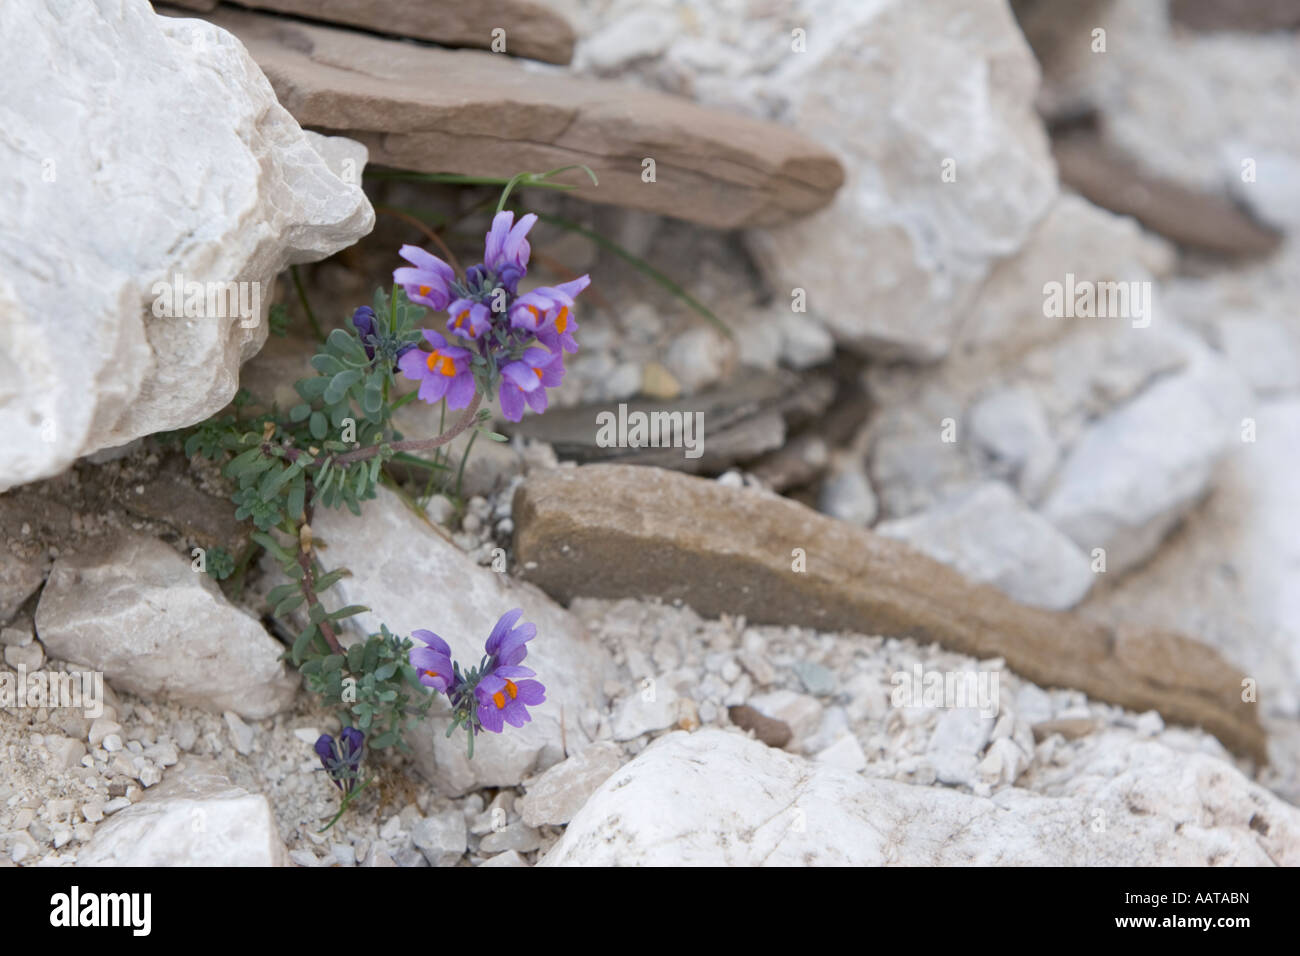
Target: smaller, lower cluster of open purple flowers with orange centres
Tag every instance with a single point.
(496, 693)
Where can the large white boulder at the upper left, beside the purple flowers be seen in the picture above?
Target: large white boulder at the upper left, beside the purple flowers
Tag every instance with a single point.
(135, 150)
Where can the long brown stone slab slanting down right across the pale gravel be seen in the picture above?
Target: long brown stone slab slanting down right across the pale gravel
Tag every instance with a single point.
(623, 531)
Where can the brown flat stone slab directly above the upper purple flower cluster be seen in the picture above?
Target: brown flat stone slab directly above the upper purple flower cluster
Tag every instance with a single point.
(479, 114)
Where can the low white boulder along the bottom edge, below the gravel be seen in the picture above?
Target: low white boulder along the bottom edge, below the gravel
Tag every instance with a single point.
(721, 799)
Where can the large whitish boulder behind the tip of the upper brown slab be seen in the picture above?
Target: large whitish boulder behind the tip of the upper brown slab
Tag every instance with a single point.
(930, 107)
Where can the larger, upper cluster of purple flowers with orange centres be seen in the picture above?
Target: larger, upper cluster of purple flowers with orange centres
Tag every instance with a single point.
(499, 339)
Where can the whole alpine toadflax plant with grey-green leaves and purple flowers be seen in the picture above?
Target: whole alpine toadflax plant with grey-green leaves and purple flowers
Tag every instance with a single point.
(339, 442)
